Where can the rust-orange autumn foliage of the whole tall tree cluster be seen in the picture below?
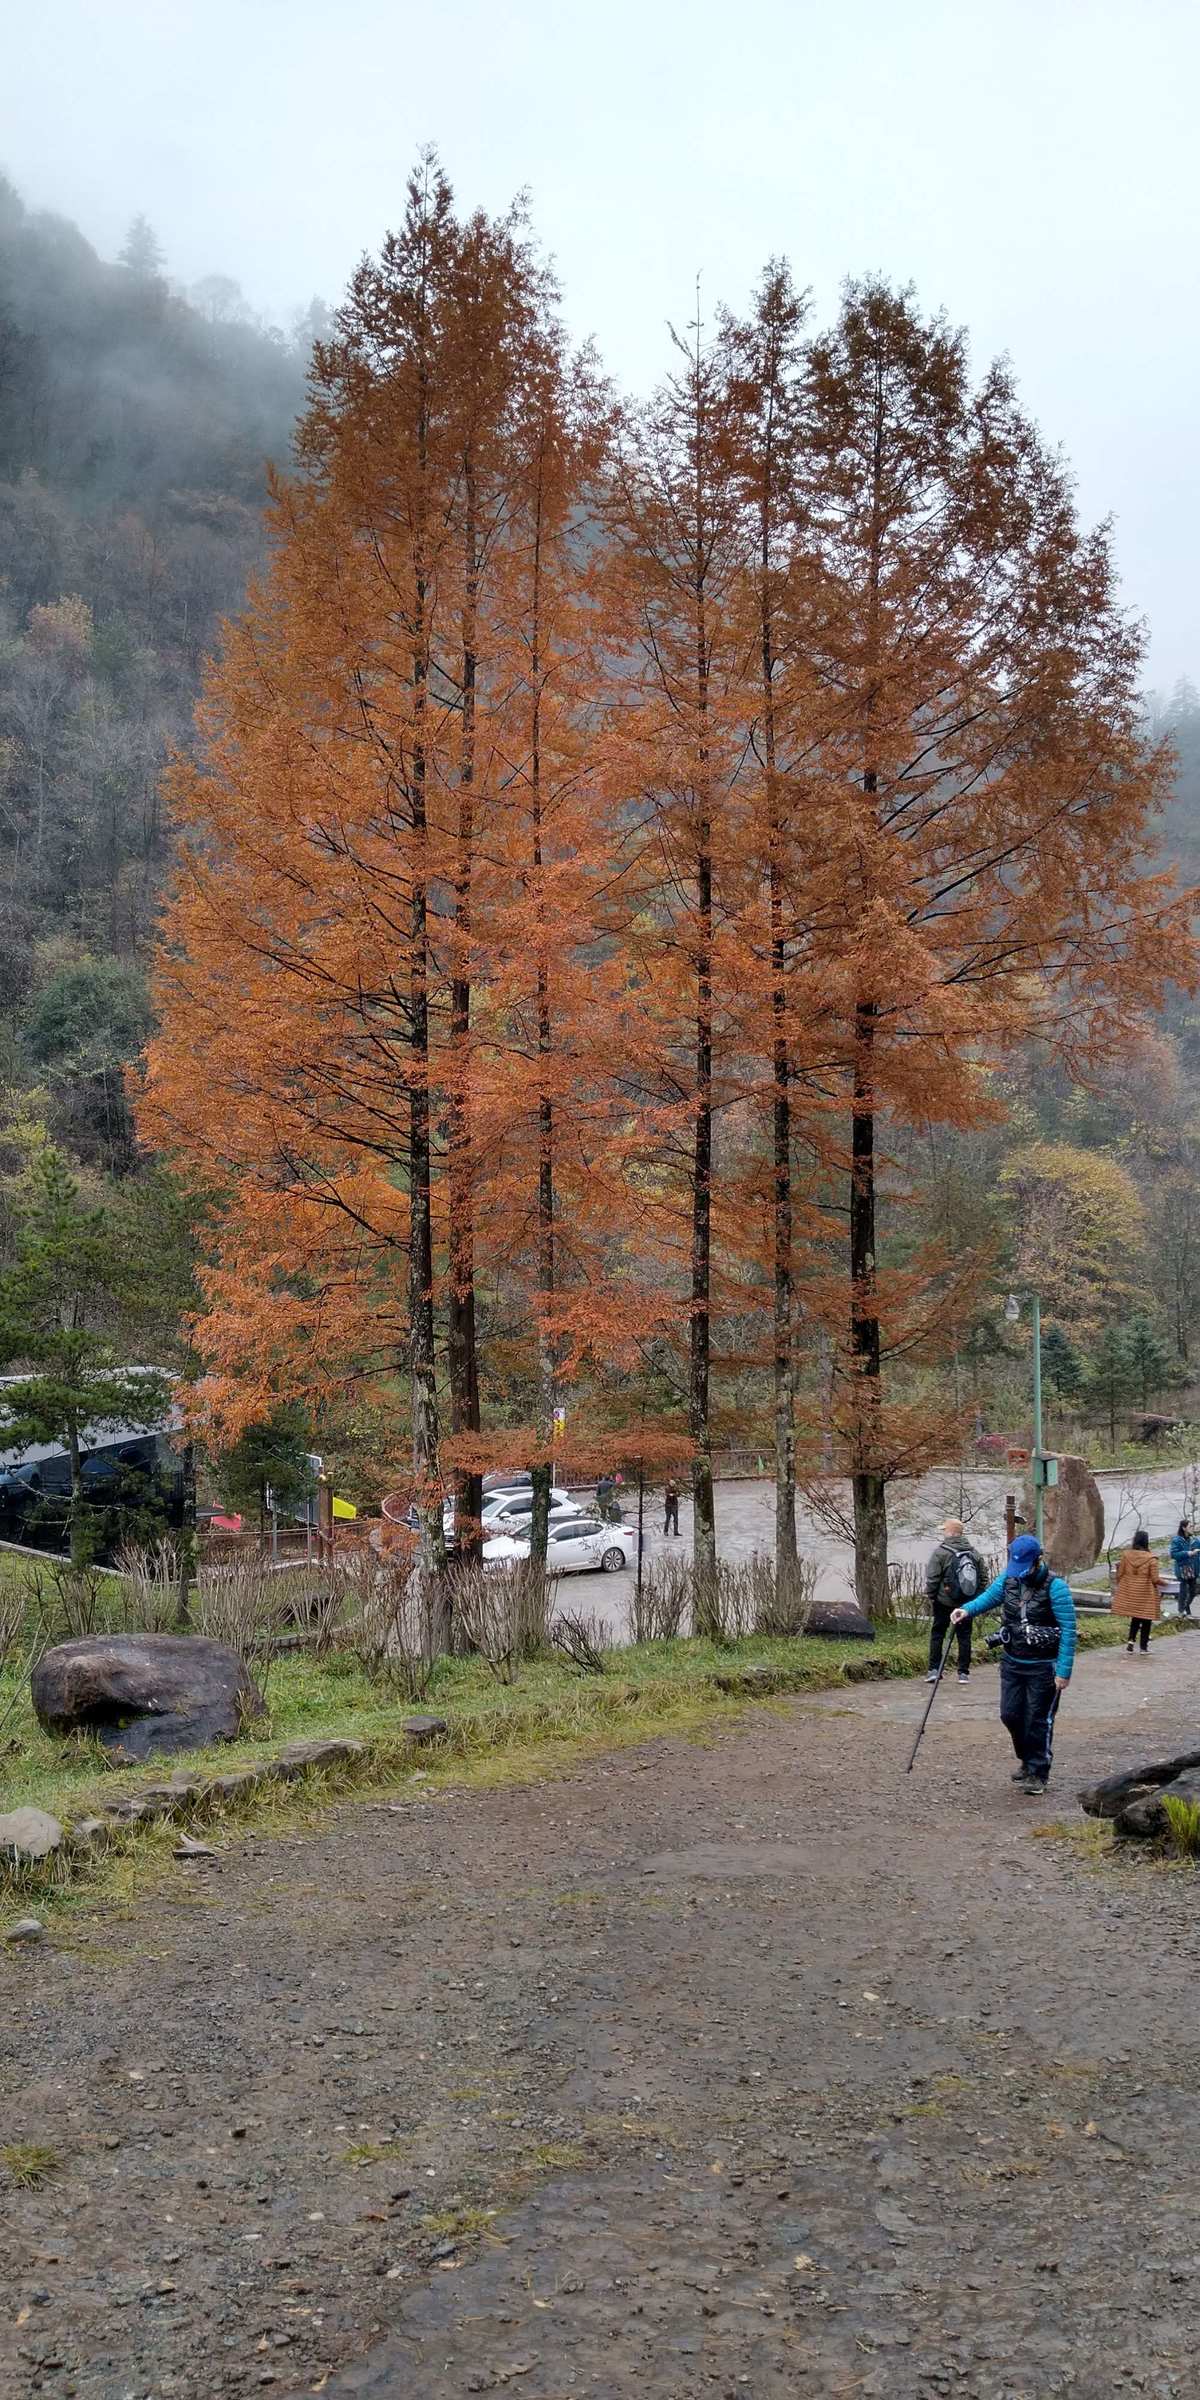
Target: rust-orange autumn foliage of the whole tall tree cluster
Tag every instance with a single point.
(608, 827)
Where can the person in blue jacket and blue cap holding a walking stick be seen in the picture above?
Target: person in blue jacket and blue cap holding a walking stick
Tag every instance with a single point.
(1038, 1636)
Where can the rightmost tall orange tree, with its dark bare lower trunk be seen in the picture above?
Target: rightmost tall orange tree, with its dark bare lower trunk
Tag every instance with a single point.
(985, 798)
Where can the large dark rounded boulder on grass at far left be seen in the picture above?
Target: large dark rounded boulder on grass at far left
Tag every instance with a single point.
(145, 1693)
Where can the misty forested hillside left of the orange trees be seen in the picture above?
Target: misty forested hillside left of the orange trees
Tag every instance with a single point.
(133, 438)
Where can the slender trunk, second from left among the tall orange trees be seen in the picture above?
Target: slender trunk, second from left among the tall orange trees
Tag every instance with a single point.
(462, 1357)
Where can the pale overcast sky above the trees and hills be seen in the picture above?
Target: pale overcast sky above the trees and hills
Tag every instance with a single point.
(1028, 164)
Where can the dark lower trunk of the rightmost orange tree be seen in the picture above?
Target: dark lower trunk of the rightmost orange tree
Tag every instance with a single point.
(865, 1343)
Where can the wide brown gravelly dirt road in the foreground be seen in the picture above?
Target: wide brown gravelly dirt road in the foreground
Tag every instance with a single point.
(779, 2070)
